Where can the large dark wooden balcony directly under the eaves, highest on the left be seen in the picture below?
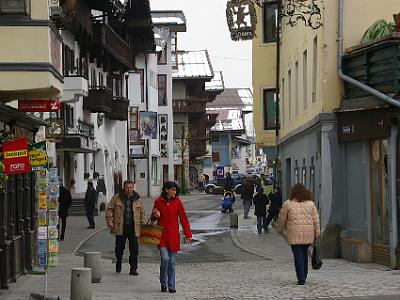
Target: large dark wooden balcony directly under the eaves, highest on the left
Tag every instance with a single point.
(105, 37)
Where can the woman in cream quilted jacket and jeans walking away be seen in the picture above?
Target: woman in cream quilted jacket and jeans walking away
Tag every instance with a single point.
(299, 215)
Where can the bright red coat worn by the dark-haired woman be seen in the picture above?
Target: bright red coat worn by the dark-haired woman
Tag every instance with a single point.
(169, 212)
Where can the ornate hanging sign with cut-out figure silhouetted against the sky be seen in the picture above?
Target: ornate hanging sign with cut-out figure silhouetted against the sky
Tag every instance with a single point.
(242, 19)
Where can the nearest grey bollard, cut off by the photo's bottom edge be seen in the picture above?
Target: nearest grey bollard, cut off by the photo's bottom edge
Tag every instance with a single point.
(81, 288)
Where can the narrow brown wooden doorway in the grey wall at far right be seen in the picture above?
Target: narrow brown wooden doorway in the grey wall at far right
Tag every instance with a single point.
(380, 201)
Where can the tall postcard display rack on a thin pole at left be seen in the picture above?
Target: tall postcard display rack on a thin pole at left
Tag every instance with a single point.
(47, 192)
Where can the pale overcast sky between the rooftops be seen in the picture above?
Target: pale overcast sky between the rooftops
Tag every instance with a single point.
(207, 29)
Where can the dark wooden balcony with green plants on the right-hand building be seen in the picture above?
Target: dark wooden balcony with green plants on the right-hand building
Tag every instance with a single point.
(376, 64)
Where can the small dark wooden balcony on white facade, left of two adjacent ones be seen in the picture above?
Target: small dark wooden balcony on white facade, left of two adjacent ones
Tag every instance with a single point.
(98, 100)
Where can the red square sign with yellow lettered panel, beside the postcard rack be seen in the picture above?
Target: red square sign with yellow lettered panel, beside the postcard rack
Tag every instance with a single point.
(15, 157)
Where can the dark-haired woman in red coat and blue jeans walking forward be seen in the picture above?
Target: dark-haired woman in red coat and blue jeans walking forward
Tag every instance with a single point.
(166, 210)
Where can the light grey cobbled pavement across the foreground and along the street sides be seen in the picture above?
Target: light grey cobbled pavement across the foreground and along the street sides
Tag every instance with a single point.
(269, 278)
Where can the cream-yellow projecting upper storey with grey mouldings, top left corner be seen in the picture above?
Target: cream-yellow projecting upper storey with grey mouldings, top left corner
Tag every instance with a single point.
(30, 52)
